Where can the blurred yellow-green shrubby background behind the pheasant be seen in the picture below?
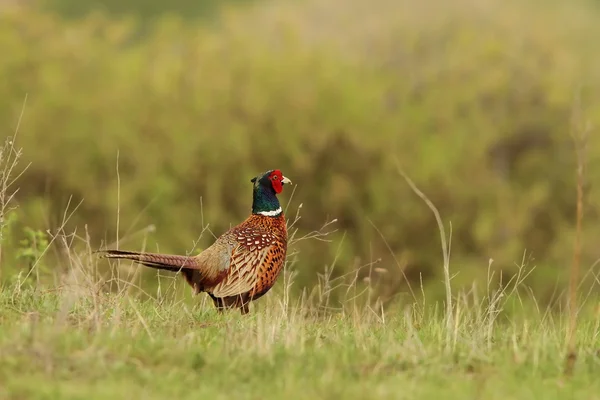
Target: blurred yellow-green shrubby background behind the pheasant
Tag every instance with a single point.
(476, 100)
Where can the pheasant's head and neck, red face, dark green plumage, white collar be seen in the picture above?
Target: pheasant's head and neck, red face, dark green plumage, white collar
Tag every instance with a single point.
(266, 188)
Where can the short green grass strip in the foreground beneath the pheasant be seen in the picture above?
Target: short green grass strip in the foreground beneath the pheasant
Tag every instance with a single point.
(76, 341)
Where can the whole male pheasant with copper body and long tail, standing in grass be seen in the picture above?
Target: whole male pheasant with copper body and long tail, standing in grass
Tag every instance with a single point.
(243, 263)
